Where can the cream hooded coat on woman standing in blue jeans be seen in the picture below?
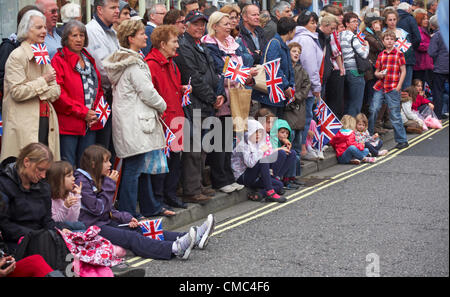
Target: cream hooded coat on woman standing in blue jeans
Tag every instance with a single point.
(137, 106)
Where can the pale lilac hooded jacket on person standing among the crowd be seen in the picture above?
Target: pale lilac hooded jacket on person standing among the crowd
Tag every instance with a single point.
(311, 57)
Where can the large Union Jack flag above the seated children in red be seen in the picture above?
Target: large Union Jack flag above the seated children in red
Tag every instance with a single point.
(327, 126)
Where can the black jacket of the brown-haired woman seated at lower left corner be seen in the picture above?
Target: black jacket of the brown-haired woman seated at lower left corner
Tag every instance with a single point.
(26, 210)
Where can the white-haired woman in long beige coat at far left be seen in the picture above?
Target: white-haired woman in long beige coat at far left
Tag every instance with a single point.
(30, 89)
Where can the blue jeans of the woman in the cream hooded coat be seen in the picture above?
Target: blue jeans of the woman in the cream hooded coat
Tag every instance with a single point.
(136, 185)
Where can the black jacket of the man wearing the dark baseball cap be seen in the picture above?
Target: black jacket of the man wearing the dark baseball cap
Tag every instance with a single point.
(195, 62)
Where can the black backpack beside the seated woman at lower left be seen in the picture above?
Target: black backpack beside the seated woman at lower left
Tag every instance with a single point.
(47, 243)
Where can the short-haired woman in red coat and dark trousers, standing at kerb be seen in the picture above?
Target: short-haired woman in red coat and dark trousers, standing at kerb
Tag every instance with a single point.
(166, 79)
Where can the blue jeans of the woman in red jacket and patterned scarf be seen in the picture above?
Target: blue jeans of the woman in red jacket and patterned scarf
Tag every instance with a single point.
(73, 146)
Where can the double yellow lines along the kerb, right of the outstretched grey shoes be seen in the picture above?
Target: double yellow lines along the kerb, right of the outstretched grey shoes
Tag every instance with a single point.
(320, 186)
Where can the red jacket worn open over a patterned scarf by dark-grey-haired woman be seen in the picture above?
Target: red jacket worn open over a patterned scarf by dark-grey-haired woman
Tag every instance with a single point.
(70, 107)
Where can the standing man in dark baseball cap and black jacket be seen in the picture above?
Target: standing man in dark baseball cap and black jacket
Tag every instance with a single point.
(197, 66)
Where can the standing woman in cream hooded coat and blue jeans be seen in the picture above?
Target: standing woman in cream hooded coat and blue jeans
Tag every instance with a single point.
(136, 128)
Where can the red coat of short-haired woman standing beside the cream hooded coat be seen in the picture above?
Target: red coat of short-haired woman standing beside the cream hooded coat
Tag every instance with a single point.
(166, 79)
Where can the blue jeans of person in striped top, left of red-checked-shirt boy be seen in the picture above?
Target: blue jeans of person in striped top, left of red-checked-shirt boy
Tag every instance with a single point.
(354, 89)
